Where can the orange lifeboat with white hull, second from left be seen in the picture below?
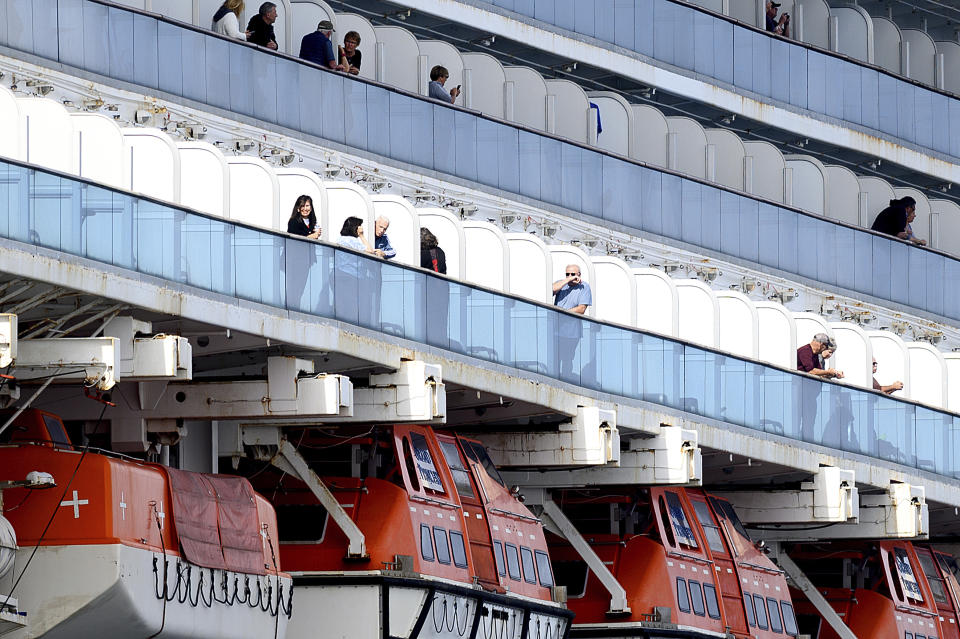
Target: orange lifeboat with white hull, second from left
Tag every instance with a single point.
(450, 552)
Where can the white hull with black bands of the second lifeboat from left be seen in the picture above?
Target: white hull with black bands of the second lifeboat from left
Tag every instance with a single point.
(416, 608)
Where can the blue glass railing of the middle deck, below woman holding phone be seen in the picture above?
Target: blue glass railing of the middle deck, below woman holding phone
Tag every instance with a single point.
(197, 65)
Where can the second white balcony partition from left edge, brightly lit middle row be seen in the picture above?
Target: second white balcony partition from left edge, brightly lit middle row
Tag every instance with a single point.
(48, 131)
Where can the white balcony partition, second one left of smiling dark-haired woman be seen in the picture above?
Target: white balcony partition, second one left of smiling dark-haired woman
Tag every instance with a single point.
(204, 178)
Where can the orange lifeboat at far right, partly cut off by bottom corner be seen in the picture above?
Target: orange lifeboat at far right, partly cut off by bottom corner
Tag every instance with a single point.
(882, 590)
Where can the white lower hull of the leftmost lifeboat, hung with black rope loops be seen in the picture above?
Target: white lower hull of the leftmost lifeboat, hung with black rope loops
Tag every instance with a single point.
(117, 591)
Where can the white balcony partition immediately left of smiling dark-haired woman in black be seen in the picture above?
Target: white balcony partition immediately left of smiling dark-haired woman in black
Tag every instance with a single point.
(254, 193)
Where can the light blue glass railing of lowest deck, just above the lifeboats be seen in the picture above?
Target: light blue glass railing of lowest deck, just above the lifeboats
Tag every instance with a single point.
(74, 216)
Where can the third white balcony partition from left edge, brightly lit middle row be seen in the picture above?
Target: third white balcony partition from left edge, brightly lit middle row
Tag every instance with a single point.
(98, 145)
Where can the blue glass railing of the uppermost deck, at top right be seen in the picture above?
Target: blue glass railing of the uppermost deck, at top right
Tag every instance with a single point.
(750, 59)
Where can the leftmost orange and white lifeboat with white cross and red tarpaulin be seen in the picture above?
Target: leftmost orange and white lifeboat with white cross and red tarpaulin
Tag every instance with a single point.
(116, 547)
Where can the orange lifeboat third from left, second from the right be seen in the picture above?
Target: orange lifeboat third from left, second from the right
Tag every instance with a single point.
(683, 557)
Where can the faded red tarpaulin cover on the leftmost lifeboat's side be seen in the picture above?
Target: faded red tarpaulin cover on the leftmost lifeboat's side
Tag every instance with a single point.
(216, 521)
